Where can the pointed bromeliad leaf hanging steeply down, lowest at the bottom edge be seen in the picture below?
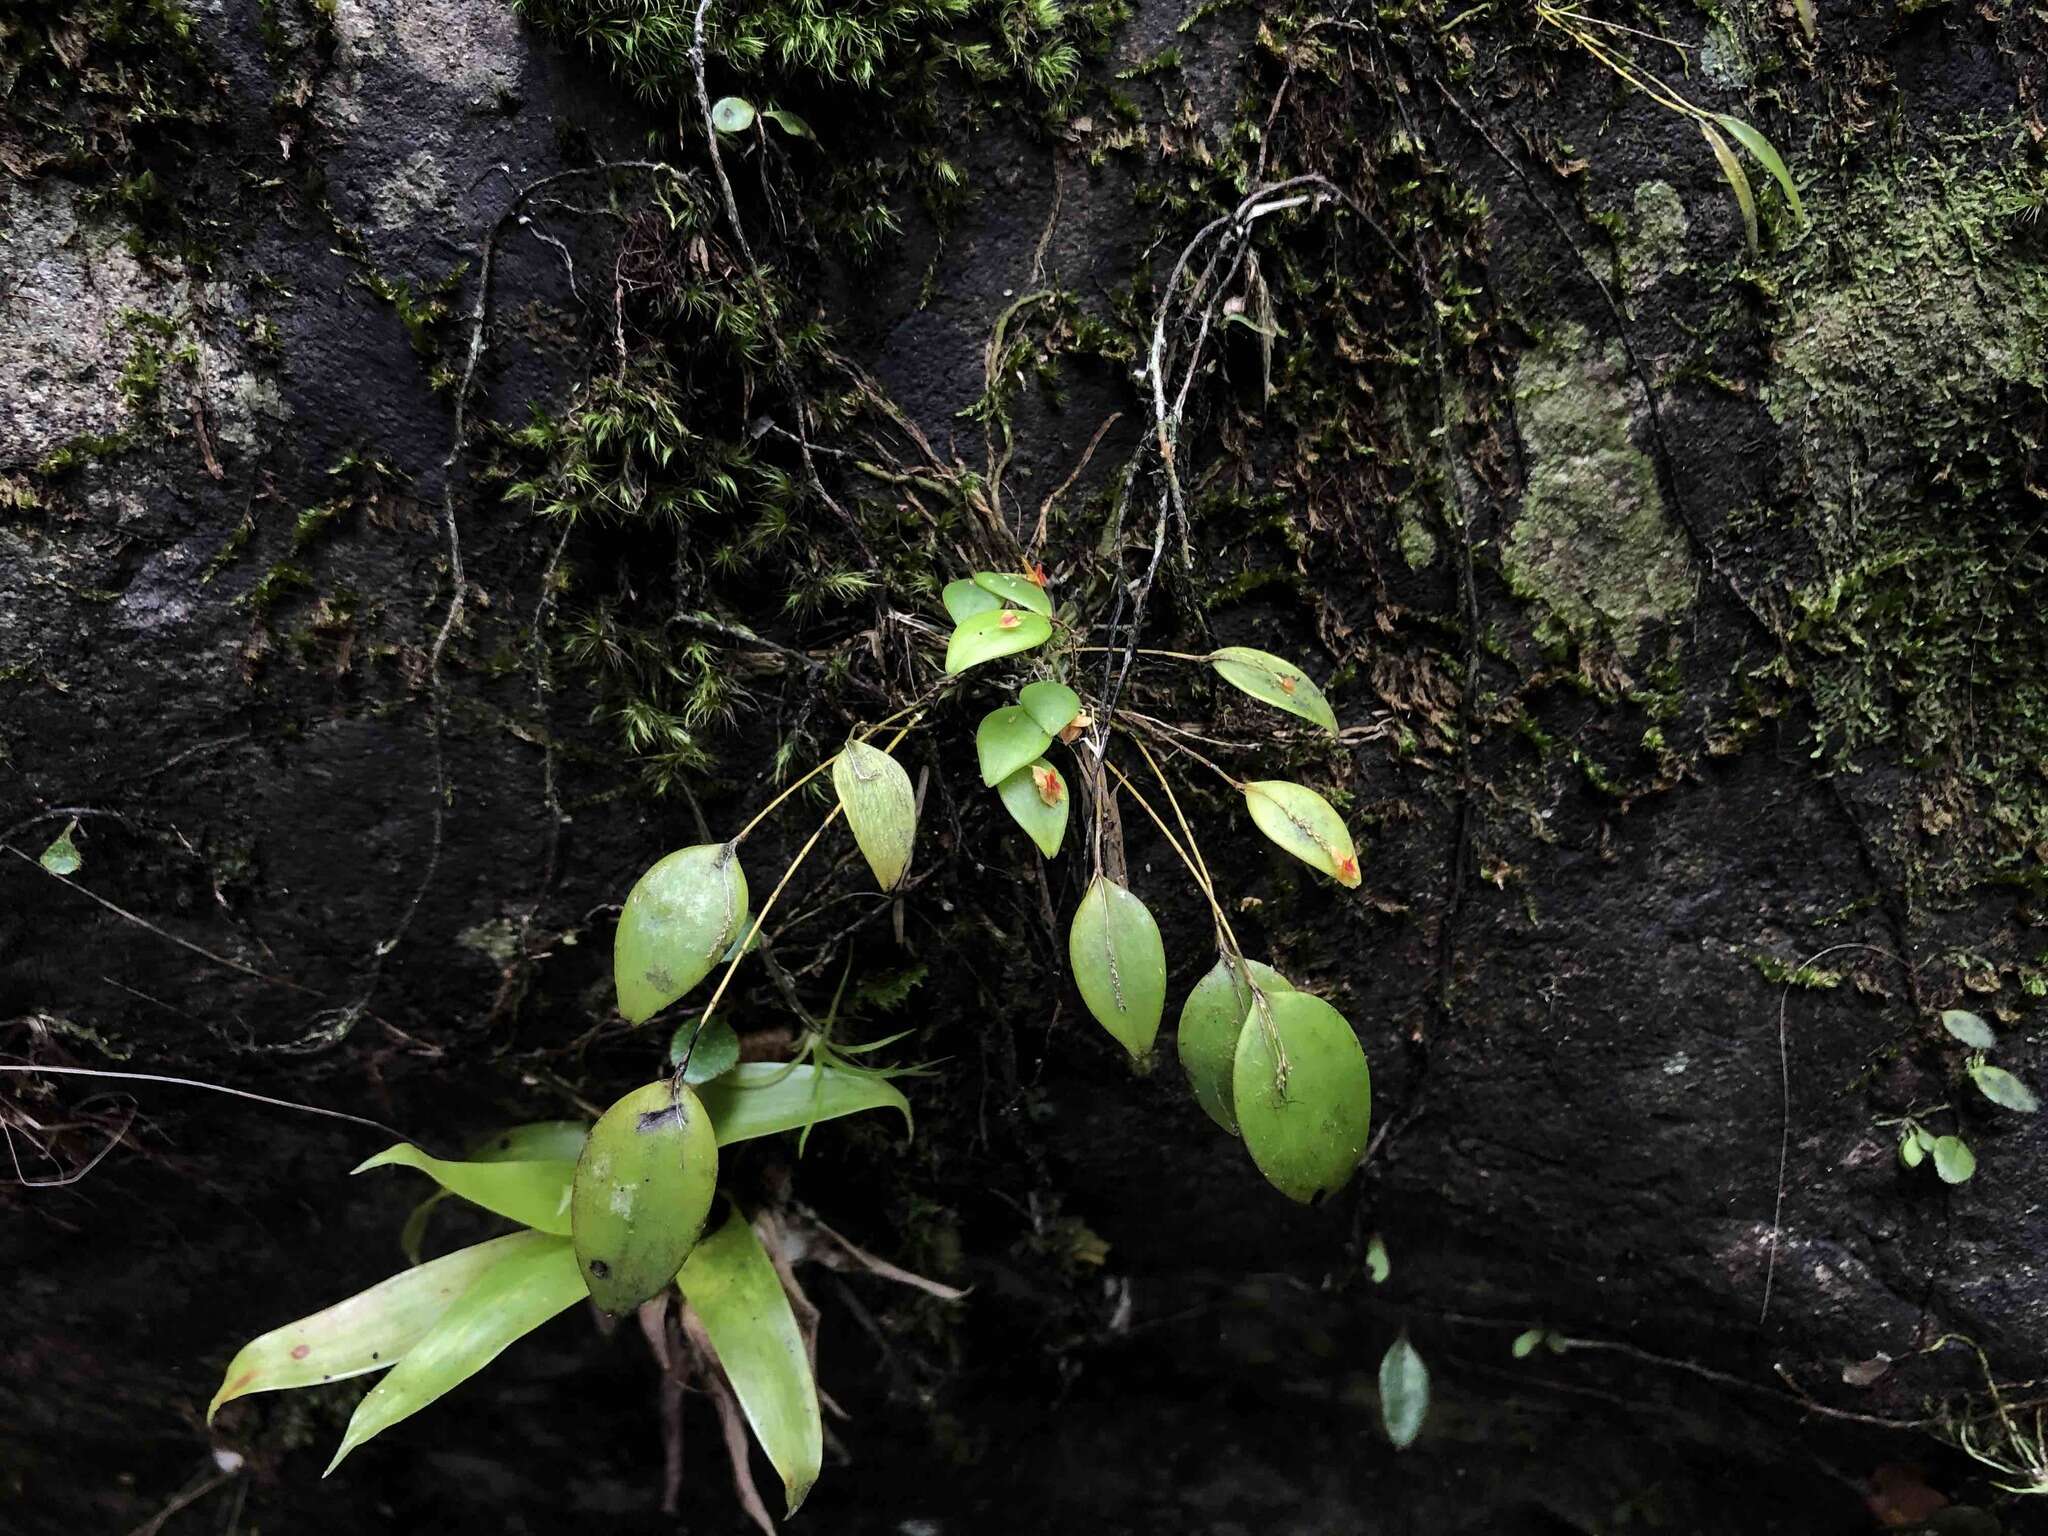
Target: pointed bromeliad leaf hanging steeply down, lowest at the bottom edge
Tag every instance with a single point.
(738, 1297)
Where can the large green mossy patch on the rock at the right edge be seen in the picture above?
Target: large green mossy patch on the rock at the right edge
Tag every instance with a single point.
(1914, 382)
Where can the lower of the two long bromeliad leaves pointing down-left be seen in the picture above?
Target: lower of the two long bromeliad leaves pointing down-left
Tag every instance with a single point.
(509, 1302)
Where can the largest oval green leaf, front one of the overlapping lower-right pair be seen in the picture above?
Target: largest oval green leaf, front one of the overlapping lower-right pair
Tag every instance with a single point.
(1304, 1115)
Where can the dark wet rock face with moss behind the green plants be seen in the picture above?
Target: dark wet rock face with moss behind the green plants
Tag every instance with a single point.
(1691, 640)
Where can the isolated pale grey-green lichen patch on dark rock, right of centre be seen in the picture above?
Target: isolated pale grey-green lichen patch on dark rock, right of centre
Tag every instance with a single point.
(1594, 542)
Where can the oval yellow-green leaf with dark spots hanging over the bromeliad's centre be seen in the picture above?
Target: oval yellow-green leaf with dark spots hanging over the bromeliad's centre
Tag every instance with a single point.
(644, 1189)
